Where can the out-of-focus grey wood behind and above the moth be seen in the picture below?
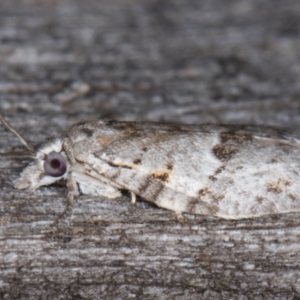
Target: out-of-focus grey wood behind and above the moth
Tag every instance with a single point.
(191, 61)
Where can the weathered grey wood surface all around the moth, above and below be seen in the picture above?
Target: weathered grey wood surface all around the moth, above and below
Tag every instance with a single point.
(185, 61)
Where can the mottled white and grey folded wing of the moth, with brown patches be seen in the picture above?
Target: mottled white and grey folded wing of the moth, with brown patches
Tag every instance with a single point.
(213, 170)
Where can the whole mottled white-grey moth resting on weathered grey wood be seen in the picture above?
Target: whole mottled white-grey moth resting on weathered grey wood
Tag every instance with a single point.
(231, 172)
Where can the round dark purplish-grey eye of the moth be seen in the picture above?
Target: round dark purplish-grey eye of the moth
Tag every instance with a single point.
(55, 165)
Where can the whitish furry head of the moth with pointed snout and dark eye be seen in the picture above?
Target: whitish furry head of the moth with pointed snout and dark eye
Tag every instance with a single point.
(50, 165)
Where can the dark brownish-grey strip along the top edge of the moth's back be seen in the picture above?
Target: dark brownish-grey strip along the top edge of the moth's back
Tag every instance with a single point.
(120, 131)
